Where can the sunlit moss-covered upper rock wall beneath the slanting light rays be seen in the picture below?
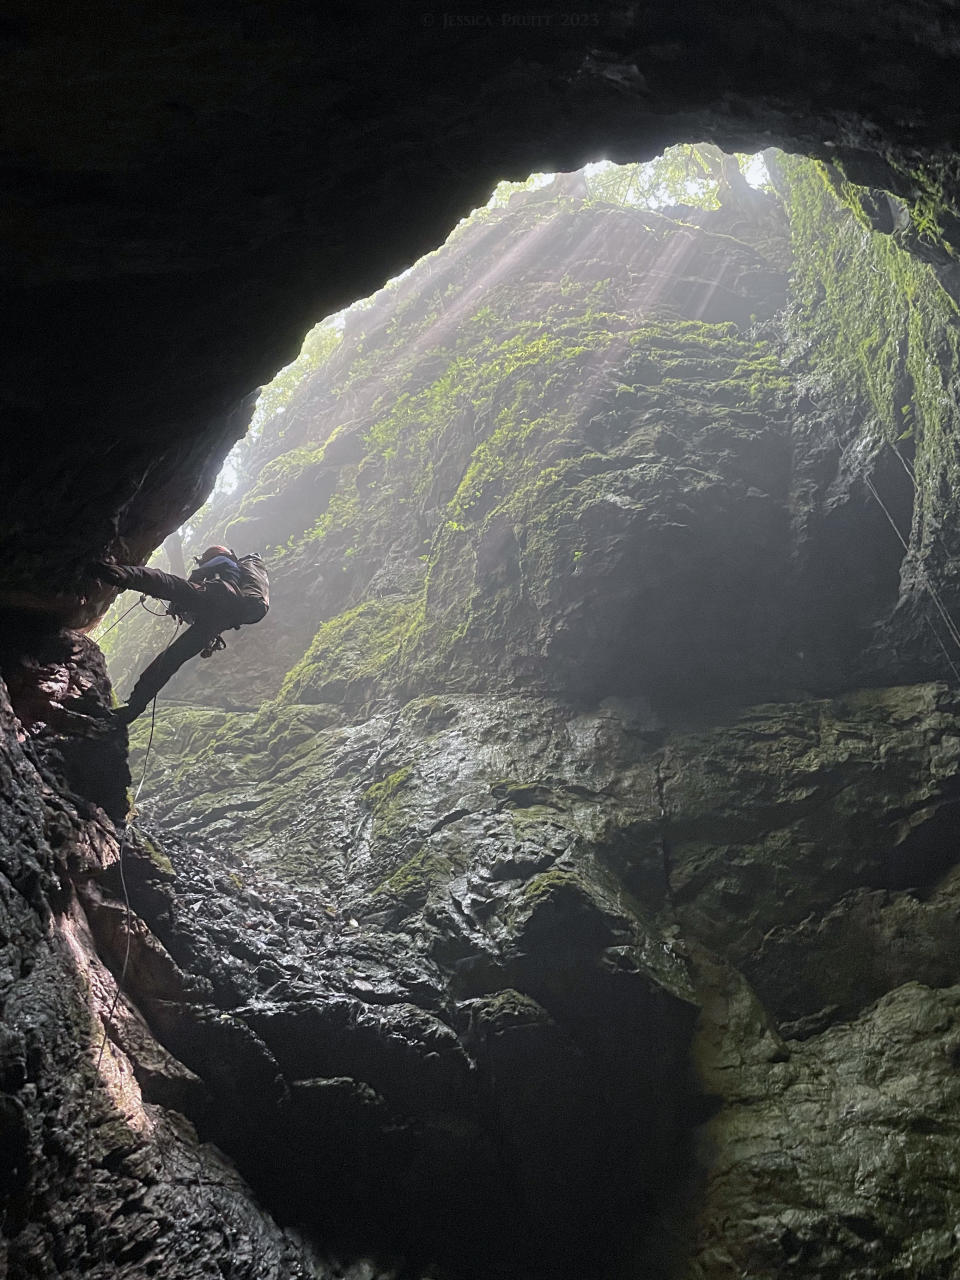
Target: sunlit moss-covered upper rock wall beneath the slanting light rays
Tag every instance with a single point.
(423, 492)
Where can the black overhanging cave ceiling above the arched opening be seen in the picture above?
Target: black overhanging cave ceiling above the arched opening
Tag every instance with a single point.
(190, 188)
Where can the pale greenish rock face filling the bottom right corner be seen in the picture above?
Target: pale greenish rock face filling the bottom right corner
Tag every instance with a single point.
(836, 1156)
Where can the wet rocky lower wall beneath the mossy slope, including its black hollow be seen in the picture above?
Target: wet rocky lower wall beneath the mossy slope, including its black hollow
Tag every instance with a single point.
(542, 954)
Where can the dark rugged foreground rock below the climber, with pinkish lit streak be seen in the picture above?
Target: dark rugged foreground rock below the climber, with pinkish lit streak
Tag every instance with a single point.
(102, 1173)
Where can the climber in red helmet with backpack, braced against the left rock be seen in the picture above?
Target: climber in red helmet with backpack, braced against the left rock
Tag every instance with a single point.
(223, 592)
